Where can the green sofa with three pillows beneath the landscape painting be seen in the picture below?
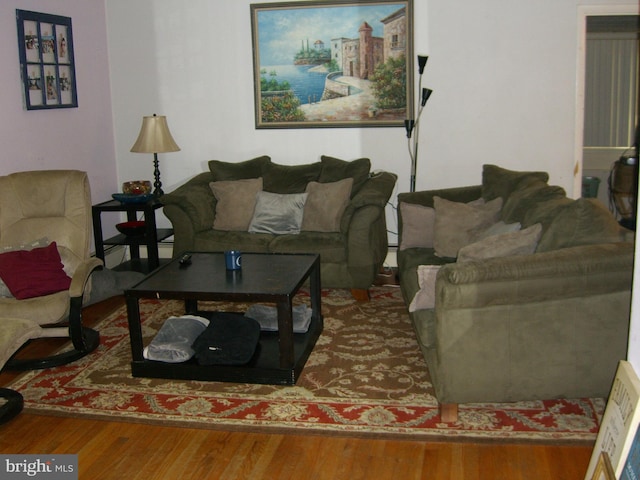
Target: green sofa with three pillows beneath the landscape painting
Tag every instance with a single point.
(347, 227)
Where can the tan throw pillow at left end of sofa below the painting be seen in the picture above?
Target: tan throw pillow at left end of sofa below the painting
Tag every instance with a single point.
(236, 203)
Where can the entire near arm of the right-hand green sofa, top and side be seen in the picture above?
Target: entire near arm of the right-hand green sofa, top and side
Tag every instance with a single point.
(540, 326)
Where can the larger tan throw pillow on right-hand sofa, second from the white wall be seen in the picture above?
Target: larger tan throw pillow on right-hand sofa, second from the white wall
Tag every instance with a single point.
(456, 222)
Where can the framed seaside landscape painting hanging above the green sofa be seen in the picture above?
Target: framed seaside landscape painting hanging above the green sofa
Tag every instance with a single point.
(332, 63)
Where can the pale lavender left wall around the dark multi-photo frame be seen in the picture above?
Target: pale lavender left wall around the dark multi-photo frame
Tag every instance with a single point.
(75, 138)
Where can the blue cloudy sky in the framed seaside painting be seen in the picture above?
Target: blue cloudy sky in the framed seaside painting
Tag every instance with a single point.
(282, 32)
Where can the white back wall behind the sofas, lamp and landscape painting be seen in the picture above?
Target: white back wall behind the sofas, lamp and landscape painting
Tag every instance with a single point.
(504, 76)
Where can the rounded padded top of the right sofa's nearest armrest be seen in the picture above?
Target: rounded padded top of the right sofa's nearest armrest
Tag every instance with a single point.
(565, 273)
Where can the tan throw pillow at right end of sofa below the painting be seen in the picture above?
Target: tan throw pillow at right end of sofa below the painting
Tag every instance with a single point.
(325, 205)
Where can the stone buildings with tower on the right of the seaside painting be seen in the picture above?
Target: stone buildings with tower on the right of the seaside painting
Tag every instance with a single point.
(358, 57)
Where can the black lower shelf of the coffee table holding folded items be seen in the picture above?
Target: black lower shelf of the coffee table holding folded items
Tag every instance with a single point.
(264, 367)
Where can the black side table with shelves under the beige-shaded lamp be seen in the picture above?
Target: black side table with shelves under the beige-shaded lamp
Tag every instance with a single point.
(150, 238)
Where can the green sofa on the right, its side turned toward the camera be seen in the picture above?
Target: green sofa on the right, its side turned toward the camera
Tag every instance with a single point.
(549, 321)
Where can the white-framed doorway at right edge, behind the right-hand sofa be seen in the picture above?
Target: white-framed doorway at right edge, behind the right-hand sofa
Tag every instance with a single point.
(607, 112)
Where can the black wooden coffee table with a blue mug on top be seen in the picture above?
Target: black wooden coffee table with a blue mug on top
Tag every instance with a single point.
(264, 278)
